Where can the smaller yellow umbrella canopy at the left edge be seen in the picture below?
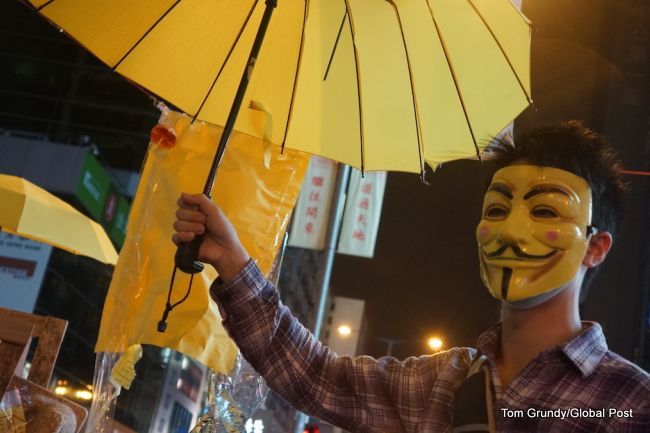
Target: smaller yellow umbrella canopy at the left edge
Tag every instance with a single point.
(32, 212)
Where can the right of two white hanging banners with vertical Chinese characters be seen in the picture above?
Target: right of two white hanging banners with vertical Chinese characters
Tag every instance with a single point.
(362, 213)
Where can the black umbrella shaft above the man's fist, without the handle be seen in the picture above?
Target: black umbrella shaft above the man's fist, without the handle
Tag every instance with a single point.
(239, 96)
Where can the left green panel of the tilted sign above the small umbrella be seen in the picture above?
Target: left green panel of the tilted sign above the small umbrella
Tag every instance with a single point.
(94, 184)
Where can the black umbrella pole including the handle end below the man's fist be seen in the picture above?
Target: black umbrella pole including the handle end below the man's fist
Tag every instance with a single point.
(186, 257)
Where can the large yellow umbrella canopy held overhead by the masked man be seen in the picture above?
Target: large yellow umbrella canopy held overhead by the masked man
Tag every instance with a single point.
(376, 84)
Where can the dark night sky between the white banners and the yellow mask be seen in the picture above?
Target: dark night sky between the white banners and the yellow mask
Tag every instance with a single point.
(424, 277)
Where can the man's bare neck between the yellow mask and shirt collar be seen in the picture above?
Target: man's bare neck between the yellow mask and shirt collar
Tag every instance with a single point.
(525, 333)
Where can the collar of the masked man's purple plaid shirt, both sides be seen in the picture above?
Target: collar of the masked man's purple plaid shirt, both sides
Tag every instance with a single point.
(584, 351)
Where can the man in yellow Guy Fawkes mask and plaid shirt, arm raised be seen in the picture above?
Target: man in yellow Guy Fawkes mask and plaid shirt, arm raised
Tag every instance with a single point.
(549, 217)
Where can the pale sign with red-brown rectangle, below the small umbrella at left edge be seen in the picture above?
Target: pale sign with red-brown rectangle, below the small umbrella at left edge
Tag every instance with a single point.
(22, 267)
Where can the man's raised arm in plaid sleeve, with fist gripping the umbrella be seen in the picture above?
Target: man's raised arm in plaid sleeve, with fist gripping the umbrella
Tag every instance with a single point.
(348, 392)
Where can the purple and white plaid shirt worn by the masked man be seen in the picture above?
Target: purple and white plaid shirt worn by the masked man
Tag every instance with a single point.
(363, 394)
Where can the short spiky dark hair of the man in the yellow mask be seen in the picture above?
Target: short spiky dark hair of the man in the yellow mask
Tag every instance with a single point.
(572, 147)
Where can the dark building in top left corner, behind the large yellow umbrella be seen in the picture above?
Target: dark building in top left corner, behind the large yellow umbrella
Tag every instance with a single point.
(54, 89)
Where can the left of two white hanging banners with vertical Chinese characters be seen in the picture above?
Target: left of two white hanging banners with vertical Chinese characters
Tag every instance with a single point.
(311, 215)
